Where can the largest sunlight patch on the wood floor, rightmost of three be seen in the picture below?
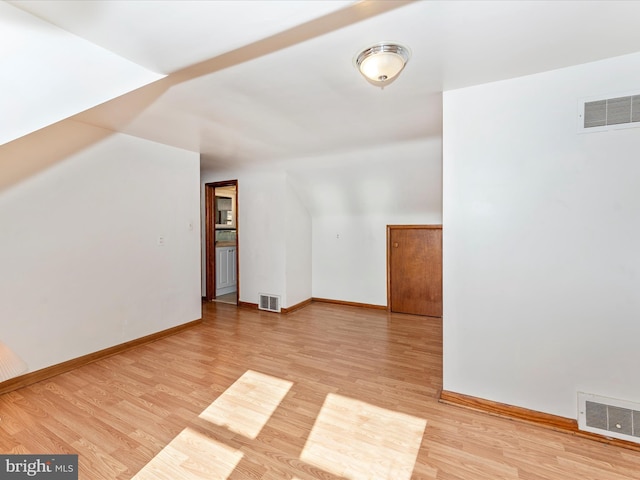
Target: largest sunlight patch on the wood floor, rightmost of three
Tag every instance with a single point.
(359, 441)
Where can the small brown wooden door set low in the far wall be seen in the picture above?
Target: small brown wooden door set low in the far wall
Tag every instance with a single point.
(414, 255)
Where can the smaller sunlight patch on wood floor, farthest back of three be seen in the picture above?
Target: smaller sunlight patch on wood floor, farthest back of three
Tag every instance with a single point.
(246, 406)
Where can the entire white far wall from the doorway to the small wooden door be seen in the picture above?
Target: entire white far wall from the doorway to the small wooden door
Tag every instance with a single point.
(290, 217)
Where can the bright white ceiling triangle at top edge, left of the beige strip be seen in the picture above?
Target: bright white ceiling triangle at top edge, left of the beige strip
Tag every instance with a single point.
(164, 35)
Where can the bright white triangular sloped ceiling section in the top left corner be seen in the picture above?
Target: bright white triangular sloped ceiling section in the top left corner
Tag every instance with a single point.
(49, 74)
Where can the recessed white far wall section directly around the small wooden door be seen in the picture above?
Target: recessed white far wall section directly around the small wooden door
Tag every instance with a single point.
(352, 198)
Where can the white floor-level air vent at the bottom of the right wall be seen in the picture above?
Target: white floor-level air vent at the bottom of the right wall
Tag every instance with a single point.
(609, 417)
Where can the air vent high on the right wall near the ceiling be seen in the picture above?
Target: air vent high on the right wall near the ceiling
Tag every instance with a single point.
(607, 113)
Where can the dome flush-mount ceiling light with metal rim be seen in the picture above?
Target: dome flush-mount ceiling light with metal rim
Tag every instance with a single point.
(381, 63)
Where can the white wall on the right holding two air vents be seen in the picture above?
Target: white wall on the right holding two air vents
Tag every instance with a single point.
(541, 235)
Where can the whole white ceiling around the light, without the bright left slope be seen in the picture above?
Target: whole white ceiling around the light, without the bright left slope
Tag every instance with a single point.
(302, 97)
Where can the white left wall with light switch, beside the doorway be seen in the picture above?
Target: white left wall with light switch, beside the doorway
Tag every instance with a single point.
(80, 266)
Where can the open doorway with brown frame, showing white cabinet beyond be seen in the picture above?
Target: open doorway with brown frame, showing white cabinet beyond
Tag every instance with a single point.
(221, 242)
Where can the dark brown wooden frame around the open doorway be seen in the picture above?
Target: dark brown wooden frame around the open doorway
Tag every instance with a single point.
(210, 235)
